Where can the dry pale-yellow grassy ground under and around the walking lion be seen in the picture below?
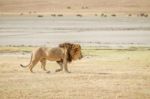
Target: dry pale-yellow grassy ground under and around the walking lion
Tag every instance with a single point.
(101, 74)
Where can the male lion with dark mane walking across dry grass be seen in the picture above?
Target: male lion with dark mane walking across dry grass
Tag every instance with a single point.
(66, 52)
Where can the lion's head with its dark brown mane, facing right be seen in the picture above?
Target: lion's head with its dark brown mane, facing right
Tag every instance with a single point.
(73, 51)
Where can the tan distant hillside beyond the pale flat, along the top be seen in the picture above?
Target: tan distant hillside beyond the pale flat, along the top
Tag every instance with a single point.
(74, 6)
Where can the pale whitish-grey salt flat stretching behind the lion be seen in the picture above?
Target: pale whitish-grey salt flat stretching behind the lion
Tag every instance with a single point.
(88, 31)
